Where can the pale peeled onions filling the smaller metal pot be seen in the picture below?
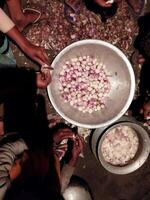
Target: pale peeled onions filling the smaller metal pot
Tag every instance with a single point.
(120, 145)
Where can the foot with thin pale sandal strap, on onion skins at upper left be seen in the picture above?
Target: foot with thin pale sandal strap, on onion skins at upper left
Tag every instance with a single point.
(28, 17)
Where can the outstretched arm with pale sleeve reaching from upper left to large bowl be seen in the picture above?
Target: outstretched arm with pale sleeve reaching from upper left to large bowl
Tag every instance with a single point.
(7, 26)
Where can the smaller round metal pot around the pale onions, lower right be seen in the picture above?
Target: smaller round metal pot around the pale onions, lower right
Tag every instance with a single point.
(140, 157)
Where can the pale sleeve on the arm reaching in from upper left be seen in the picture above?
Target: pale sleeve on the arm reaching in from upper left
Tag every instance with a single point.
(6, 24)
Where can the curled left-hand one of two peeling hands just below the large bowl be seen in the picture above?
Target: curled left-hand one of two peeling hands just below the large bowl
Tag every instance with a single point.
(61, 134)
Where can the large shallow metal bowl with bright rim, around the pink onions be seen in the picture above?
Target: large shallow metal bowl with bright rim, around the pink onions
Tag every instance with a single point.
(122, 82)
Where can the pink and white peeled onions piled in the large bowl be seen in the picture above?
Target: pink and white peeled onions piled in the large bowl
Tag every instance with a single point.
(84, 83)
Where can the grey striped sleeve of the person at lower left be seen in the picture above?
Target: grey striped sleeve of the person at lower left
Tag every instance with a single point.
(8, 153)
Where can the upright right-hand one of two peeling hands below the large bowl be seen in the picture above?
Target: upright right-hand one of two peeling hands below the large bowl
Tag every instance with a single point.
(77, 149)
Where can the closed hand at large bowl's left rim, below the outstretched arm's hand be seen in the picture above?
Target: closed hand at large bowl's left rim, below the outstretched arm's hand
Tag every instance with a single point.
(43, 79)
